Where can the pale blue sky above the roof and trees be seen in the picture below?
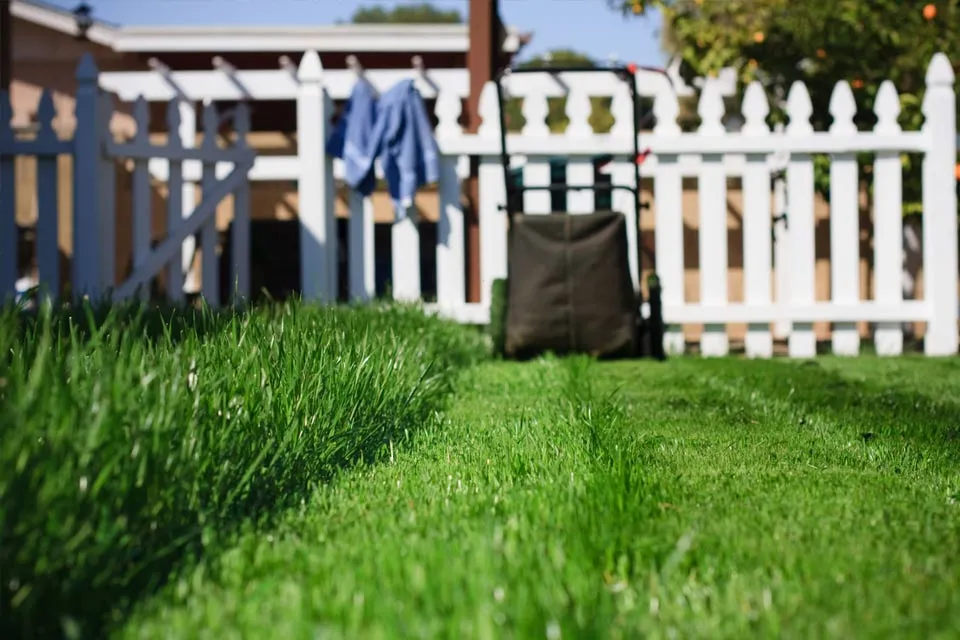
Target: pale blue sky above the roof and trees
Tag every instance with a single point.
(585, 25)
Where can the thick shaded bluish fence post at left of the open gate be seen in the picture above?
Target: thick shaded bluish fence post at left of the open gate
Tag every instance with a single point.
(88, 276)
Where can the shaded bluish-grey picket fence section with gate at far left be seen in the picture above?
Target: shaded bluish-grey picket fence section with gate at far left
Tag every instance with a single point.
(95, 154)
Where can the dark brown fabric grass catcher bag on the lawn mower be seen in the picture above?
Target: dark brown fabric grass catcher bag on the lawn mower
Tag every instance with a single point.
(569, 288)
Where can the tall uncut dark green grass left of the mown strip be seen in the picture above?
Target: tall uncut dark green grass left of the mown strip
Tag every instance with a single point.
(133, 441)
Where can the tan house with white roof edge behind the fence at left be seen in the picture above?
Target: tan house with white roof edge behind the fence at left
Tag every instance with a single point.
(48, 42)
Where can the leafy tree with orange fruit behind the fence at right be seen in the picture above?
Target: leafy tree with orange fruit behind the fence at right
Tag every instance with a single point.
(818, 42)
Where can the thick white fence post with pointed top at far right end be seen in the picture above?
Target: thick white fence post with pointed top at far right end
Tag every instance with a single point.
(940, 209)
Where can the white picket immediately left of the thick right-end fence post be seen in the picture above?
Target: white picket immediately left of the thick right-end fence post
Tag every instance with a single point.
(888, 265)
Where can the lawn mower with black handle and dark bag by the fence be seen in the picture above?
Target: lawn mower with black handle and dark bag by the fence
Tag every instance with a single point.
(568, 287)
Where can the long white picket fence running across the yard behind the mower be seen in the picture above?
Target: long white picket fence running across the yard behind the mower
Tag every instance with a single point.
(711, 154)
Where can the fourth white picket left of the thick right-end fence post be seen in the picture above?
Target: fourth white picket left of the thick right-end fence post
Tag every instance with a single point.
(757, 238)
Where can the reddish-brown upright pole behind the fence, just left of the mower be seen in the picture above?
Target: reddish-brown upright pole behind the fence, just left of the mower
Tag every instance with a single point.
(482, 60)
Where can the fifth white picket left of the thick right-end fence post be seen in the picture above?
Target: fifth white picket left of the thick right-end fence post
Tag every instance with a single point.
(713, 222)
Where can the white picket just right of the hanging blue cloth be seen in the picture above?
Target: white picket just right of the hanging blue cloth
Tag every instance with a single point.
(451, 268)
